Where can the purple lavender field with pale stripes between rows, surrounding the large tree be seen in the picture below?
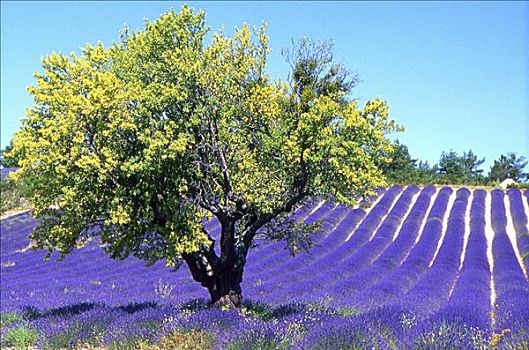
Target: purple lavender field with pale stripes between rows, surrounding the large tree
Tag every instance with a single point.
(422, 268)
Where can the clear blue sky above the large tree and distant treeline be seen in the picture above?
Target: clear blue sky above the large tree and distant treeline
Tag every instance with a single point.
(456, 75)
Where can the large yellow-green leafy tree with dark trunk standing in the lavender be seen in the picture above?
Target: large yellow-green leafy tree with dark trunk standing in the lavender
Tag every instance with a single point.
(143, 139)
